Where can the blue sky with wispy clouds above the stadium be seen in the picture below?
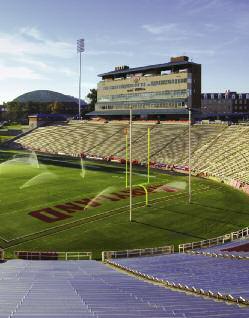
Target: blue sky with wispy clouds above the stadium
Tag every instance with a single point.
(38, 41)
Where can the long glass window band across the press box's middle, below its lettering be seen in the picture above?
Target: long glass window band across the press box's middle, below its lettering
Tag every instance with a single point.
(148, 95)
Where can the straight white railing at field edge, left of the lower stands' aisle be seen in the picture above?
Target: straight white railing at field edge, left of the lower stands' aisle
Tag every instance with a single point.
(33, 255)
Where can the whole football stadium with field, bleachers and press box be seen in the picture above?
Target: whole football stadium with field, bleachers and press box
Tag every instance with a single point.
(139, 209)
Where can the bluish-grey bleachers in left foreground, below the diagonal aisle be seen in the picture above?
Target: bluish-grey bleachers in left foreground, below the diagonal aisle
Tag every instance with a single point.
(42, 289)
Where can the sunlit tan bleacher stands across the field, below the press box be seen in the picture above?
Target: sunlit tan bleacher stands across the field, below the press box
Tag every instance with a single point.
(217, 150)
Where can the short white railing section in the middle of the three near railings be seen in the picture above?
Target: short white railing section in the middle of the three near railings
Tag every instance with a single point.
(138, 252)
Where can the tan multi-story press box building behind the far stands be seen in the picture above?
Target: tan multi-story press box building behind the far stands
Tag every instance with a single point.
(160, 90)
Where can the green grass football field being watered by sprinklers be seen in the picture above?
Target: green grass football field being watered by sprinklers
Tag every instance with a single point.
(27, 185)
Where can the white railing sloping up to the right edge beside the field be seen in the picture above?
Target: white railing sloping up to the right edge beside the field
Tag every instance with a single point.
(240, 234)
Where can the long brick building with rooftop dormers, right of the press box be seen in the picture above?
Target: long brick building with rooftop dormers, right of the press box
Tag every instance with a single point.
(224, 103)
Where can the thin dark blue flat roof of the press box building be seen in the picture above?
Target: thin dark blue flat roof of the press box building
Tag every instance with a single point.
(161, 67)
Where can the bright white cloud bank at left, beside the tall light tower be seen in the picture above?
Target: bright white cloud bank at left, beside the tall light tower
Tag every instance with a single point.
(27, 54)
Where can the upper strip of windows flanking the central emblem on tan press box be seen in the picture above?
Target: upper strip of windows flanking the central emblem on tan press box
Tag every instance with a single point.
(152, 83)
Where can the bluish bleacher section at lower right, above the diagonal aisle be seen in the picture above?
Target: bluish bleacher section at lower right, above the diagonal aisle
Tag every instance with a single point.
(216, 275)
